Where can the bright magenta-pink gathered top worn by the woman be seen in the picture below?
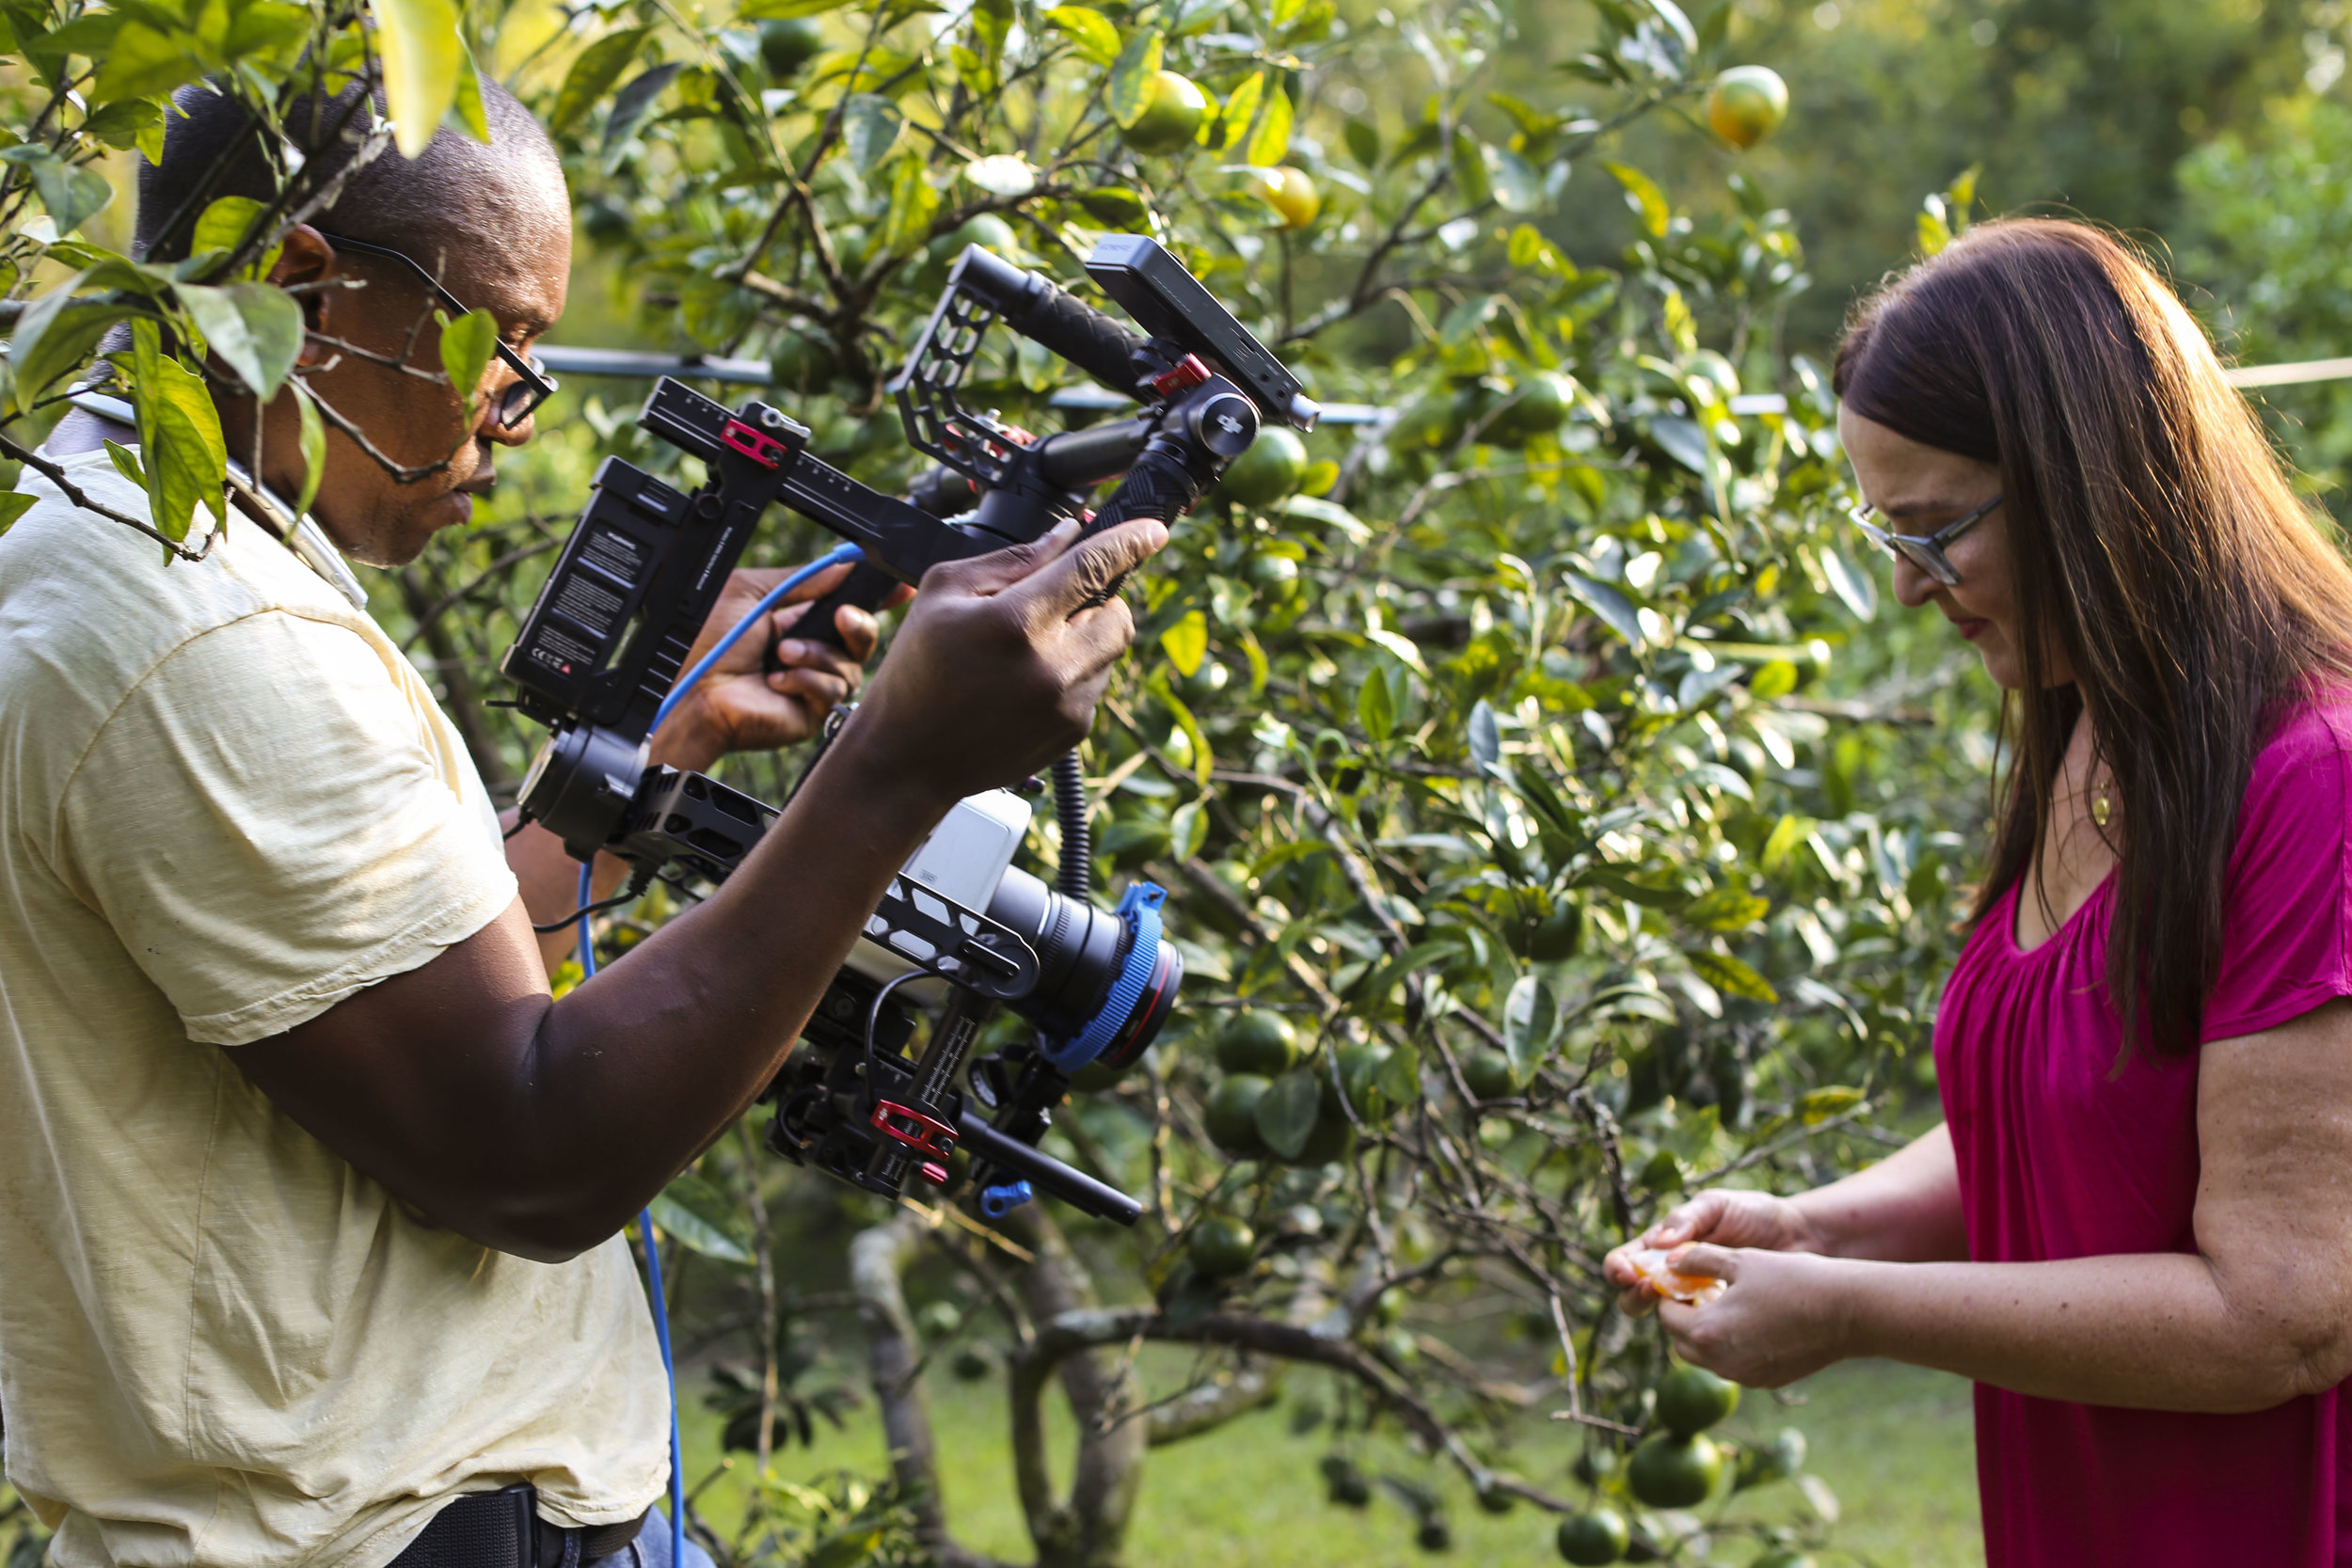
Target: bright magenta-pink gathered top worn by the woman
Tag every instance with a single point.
(2062, 1160)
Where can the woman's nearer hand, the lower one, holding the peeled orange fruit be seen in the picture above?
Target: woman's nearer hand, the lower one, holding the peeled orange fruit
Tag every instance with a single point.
(1784, 1318)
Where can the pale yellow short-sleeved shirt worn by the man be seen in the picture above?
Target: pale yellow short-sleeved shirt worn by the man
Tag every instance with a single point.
(227, 803)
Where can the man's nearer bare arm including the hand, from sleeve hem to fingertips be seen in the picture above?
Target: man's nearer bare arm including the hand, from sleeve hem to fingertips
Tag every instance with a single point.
(540, 1127)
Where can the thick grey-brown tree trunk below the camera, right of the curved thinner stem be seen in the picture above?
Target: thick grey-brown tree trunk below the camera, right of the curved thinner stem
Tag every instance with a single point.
(1090, 1527)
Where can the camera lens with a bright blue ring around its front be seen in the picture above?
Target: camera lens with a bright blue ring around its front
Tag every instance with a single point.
(1083, 956)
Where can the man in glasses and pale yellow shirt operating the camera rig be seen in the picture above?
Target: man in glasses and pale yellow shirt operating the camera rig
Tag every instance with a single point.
(309, 1191)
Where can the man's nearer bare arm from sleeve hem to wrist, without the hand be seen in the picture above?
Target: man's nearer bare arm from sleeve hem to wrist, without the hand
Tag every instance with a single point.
(542, 1127)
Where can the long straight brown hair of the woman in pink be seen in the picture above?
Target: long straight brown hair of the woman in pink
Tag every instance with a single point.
(2153, 537)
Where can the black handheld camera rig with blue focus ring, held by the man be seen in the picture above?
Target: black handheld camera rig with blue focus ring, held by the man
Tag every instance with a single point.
(643, 570)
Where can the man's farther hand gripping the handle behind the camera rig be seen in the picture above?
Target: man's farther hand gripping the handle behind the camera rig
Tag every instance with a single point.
(747, 709)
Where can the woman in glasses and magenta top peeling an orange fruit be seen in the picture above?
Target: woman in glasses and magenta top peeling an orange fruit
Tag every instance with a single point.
(2134, 1228)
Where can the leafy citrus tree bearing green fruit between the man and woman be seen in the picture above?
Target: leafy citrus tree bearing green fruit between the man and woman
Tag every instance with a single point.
(1551, 824)
